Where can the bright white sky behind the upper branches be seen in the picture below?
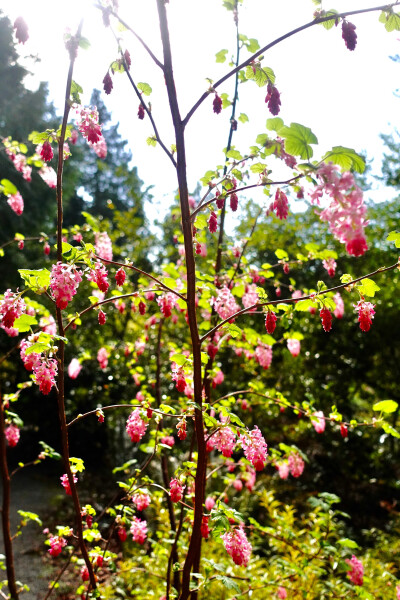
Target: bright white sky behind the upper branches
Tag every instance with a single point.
(345, 97)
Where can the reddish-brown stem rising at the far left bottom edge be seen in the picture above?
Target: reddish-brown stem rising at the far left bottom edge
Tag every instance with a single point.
(5, 511)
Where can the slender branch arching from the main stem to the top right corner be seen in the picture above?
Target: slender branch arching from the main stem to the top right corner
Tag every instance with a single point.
(278, 41)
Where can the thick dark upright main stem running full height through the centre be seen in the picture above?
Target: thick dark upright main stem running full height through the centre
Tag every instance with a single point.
(195, 540)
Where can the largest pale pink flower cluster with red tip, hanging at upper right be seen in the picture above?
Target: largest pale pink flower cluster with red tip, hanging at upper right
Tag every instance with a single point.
(346, 213)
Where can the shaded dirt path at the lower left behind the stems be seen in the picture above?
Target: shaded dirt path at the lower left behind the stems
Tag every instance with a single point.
(30, 491)
